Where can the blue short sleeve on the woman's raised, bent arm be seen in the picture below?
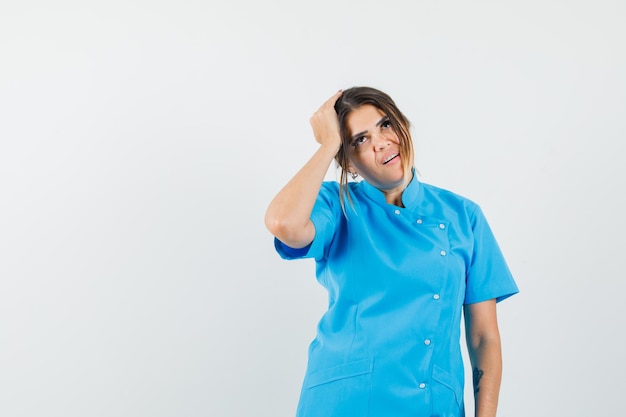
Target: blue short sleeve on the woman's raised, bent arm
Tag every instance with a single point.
(325, 216)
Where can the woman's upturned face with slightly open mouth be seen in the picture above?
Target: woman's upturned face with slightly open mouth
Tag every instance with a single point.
(373, 149)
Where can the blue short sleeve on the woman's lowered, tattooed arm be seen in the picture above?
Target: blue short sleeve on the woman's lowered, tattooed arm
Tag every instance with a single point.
(488, 276)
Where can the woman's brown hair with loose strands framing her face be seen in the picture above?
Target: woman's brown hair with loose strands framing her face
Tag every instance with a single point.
(352, 99)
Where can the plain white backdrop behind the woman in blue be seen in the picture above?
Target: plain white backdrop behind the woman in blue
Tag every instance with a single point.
(141, 141)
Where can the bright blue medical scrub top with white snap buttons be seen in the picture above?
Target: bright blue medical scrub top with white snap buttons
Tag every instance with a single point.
(397, 279)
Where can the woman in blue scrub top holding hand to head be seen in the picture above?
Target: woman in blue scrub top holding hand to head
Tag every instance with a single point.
(400, 260)
